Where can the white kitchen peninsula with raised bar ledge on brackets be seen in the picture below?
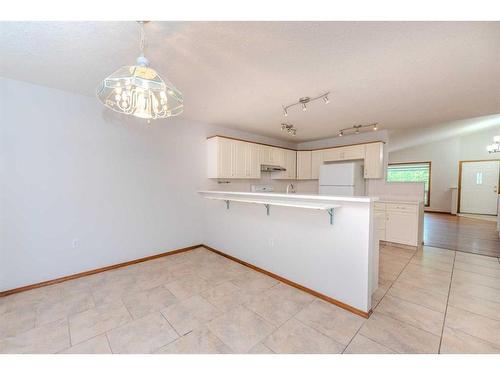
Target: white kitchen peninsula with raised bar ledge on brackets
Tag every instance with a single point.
(322, 244)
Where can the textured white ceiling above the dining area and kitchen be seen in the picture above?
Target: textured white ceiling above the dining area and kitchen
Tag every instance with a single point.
(239, 74)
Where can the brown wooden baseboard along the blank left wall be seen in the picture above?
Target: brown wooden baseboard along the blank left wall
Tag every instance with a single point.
(94, 271)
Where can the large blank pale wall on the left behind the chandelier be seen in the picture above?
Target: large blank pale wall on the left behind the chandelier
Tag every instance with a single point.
(83, 187)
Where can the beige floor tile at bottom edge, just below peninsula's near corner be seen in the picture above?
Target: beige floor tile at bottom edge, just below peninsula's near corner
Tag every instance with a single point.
(399, 336)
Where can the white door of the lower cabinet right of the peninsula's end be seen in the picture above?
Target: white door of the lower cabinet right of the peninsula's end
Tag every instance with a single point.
(401, 227)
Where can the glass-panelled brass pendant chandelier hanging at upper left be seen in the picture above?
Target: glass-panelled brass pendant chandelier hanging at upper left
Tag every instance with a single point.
(139, 91)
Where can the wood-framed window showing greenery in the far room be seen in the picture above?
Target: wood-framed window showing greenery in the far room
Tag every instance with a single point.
(412, 172)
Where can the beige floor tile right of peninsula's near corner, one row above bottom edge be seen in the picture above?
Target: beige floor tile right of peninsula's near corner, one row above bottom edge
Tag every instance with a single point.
(413, 314)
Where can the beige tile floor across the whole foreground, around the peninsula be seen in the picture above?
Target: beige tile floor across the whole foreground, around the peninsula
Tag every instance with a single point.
(429, 301)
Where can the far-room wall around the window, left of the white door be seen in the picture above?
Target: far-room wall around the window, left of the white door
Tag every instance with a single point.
(445, 156)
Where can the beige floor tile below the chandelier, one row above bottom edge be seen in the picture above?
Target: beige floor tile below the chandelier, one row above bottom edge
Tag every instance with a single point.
(144, 302)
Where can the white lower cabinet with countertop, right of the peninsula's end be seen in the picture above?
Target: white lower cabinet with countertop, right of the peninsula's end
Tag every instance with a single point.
(399, 223)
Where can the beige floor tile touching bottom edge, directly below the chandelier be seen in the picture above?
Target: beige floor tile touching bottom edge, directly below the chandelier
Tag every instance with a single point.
(144, 335)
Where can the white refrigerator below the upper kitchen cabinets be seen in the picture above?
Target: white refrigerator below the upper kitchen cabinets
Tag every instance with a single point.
(342, 179)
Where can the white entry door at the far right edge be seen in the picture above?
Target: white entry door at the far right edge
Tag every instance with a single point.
(479, 187)
